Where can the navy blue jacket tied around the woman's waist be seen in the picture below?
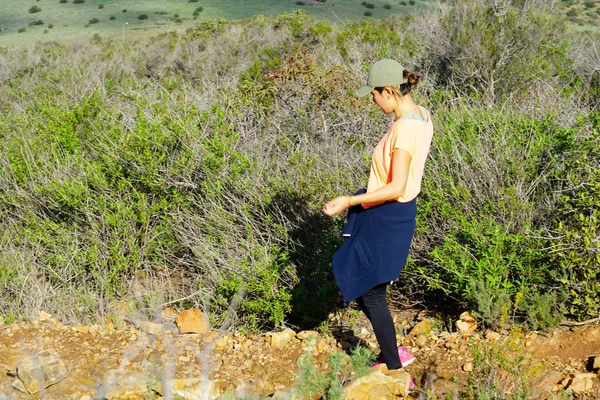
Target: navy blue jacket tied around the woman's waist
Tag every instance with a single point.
(377, 249)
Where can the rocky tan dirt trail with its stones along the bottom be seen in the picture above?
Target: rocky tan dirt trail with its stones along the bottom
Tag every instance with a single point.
(178, 356)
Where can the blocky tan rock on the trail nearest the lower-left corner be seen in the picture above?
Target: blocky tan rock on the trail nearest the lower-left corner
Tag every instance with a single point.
(40, 371)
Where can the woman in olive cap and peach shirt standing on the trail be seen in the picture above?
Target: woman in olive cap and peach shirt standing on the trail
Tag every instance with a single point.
(381, 220)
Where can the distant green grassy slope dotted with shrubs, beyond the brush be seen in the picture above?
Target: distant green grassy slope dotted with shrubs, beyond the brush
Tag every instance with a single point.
(70, 19)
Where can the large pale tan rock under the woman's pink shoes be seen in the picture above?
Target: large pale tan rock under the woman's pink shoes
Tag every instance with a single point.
(379, 384)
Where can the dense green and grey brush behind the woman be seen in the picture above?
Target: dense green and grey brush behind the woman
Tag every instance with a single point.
(191, 169)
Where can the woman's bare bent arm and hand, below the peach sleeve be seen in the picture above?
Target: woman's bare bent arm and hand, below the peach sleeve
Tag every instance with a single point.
(391, 191)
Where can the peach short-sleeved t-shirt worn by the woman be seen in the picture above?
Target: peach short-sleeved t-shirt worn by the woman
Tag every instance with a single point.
(412, 135)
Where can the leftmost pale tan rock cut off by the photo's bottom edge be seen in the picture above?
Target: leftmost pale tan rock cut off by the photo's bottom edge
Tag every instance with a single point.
(119, 383)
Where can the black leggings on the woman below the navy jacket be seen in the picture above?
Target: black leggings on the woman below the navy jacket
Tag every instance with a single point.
(374, 305)
